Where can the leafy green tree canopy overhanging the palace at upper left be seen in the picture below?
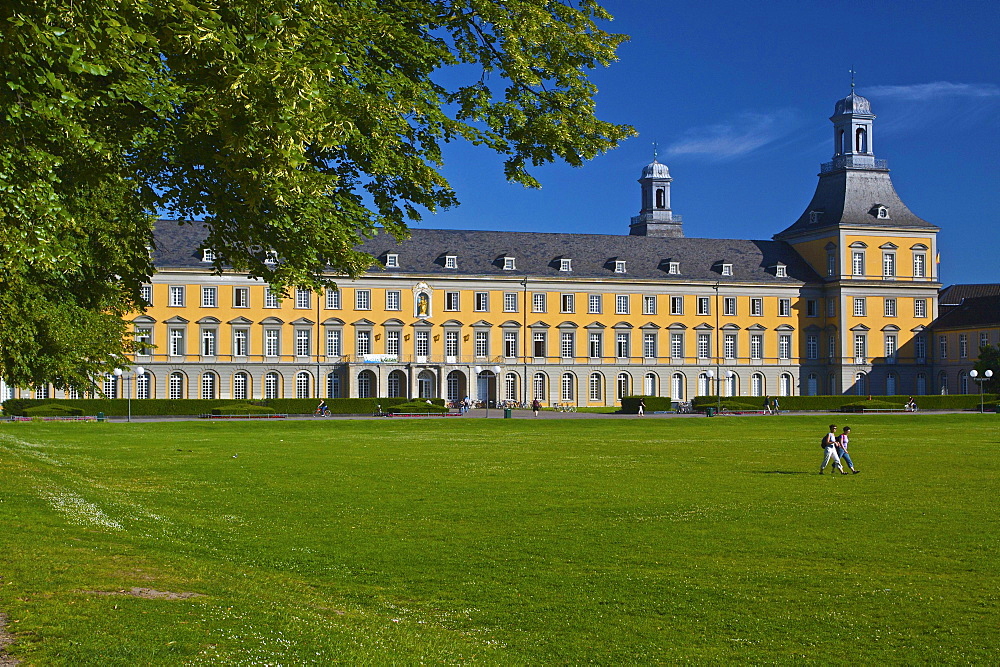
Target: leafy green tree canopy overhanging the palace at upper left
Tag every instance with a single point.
(293, 126)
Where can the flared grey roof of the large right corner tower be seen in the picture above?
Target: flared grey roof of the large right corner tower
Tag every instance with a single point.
(849, 196)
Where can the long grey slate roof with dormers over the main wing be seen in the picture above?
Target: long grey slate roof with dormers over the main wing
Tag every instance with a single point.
(480, 253)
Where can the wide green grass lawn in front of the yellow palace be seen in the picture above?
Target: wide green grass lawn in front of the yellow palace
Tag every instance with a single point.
(501, 542)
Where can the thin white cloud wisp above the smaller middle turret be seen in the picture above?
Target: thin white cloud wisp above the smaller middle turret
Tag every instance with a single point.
(743, 134)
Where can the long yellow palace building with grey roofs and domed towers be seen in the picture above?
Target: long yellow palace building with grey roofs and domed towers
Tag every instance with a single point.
(837, 302)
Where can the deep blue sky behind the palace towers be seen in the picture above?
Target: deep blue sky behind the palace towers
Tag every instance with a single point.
(738, 95)
